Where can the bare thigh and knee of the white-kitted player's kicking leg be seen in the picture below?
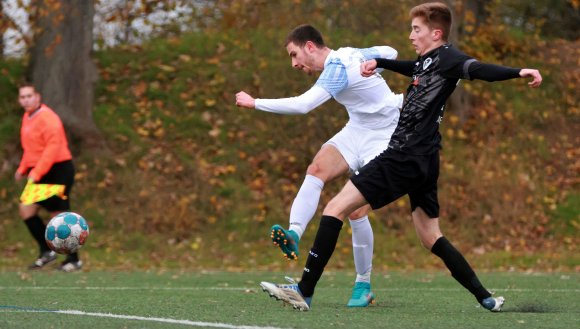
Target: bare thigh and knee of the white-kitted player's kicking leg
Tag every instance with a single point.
(328, 164)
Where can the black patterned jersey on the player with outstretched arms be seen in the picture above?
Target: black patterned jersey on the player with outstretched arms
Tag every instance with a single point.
(435, 76)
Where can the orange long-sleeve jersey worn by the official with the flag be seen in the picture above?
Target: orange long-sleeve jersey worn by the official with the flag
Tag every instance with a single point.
(44, 142)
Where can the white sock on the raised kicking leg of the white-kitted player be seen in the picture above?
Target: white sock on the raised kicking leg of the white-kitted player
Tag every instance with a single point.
(305, 204)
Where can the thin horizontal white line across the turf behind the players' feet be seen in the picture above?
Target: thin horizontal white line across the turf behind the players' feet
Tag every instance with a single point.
(250, 289)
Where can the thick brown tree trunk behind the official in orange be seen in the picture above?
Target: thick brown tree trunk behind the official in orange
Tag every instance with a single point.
(61, 67)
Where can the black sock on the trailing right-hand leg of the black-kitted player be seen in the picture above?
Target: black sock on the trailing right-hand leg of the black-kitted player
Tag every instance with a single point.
(459, 268)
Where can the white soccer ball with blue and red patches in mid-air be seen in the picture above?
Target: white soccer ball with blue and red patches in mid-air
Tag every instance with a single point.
(66, 232)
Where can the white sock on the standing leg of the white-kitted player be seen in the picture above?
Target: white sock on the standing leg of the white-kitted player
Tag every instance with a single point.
(362, 248)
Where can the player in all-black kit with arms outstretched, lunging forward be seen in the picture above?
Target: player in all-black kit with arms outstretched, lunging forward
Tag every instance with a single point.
(410, 165)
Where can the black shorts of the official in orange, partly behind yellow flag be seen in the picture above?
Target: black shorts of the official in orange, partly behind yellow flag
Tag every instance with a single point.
(60, 173)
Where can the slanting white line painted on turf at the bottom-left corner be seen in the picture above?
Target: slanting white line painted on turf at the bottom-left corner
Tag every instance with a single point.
(133, 317)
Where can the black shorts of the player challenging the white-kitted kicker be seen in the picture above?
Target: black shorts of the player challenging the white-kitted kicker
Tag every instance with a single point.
(392, 174)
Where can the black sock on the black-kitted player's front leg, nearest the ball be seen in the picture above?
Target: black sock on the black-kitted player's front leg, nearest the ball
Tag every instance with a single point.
(320, 254)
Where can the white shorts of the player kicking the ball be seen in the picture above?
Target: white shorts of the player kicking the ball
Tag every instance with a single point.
(358, 145)
